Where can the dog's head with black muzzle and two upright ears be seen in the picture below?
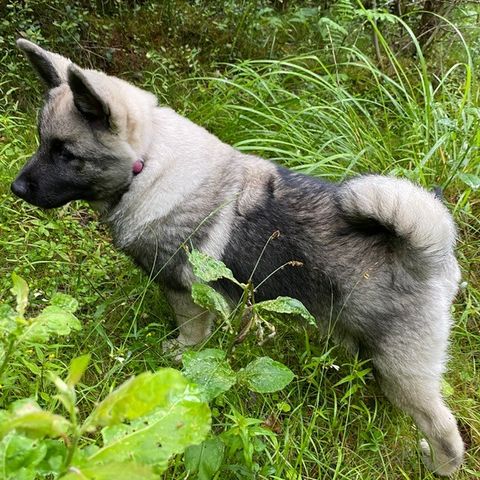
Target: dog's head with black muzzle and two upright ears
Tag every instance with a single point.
(92, 128)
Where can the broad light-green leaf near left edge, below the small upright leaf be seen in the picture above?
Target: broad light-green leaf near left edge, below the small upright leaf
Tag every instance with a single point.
(53, 320)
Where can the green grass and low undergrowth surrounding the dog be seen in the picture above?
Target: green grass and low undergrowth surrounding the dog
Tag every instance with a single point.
(329, 116)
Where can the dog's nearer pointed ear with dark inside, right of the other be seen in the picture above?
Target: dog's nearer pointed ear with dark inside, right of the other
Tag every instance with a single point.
(86, 98)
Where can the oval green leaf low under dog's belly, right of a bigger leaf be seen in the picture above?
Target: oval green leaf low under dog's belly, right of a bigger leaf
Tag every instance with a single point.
(265, 375)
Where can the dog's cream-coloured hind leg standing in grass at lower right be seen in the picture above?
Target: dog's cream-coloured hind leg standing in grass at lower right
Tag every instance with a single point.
(409, 374)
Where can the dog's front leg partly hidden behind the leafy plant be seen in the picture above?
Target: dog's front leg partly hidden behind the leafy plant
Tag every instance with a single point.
(194, 323)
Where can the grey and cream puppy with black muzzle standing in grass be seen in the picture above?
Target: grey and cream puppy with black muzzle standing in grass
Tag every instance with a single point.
(377, 253)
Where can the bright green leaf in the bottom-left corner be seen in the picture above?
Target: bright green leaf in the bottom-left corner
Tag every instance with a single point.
(20, 456)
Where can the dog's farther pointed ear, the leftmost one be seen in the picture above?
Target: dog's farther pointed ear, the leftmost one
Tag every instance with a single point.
(51, 67)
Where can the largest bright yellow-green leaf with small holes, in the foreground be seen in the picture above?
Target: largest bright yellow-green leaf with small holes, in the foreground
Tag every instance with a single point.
(180, 419)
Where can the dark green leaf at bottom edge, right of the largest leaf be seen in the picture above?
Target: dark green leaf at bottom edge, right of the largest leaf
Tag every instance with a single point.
(205, 459)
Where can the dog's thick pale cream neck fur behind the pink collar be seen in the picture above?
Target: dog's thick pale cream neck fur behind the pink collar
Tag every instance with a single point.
(180, 159)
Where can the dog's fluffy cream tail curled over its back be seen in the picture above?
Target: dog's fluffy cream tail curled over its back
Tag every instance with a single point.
(419, 221)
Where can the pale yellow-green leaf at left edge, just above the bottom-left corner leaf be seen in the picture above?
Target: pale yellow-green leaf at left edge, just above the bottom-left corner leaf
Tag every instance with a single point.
(28, 418)
